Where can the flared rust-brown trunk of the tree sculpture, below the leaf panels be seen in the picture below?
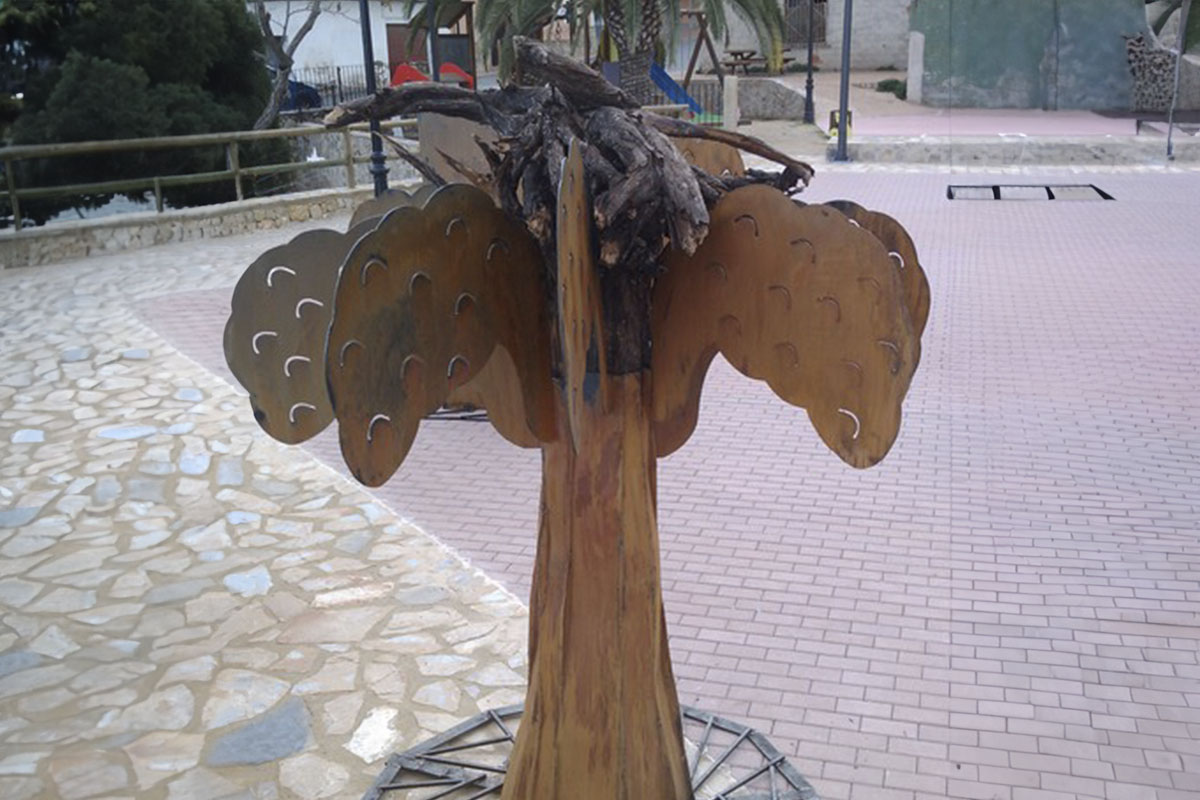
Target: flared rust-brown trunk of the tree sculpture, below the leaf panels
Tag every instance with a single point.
(602, 717)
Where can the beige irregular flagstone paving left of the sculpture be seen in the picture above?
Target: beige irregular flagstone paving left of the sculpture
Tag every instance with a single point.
(191, 610)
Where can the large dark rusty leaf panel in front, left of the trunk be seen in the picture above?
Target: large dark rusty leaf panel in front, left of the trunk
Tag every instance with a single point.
(422, 304)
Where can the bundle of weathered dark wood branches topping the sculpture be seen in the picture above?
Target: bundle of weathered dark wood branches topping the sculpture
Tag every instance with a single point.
(645, 196)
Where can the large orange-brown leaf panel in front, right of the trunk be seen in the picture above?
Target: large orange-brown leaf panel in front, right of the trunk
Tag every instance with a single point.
(797, 297)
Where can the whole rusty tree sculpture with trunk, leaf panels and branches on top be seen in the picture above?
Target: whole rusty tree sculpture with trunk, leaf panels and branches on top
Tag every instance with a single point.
(579, 298)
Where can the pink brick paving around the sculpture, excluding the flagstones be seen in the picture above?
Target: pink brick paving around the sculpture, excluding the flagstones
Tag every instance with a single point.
(1017, 586)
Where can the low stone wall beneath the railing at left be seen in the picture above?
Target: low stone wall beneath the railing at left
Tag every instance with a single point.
(71, 240)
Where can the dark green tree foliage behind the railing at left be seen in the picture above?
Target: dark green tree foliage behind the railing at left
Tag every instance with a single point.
(134, 69)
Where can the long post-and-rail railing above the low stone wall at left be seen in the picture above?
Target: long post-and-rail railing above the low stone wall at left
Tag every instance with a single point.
(235, 171)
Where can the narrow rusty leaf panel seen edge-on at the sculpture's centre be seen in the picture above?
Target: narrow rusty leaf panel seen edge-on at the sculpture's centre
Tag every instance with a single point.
(580, 326)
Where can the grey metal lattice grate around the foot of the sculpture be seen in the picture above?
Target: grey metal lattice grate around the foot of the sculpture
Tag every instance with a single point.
(728, 762)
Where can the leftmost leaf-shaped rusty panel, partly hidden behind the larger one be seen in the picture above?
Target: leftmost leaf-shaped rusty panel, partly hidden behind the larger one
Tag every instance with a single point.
(275, 339)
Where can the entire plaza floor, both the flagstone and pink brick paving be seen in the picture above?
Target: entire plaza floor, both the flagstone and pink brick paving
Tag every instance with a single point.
(1006, 609)
